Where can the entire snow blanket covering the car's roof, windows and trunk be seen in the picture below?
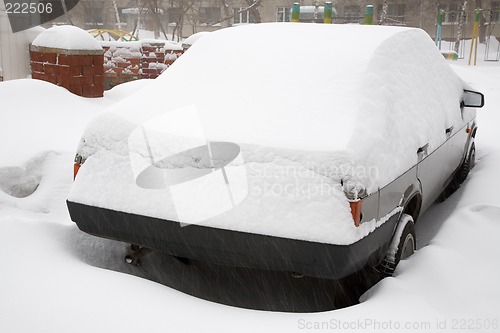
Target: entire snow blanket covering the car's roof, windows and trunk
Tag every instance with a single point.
(291, 110)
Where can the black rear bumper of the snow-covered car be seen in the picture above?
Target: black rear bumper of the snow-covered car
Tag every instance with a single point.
(233, 248)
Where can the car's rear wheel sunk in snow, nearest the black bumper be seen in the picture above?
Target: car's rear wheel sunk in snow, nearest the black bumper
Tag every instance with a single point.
(402, 246)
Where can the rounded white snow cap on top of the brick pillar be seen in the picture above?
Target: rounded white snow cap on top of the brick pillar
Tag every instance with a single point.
(67, 37)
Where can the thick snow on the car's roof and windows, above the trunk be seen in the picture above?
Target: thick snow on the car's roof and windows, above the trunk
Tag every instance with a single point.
(369, 91)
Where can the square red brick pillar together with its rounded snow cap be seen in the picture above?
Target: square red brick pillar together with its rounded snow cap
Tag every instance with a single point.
(70, 59)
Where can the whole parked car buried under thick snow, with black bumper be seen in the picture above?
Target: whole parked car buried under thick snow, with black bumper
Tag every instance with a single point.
(293, 147)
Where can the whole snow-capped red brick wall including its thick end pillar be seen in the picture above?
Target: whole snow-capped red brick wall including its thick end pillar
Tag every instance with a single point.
(70, 57)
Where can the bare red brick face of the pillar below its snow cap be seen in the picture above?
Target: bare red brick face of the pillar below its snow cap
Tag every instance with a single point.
(79, 71)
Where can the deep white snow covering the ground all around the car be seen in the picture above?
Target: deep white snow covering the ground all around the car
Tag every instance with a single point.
(50, 283)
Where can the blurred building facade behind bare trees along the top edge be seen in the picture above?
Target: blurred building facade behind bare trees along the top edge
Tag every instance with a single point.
(180, 18)
